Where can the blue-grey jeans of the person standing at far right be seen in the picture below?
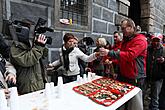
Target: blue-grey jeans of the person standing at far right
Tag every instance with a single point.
(155, 91)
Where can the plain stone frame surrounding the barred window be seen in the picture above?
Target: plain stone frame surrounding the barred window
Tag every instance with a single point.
(79, 28)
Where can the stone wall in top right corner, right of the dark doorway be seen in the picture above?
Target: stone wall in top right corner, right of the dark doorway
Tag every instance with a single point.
(152, 16)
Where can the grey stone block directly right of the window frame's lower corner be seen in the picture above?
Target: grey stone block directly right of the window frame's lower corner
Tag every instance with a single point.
(99, 27)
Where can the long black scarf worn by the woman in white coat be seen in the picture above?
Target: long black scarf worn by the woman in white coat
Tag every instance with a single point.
(65, 54)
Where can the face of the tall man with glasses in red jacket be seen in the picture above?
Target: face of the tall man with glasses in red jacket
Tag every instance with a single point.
(127, 30)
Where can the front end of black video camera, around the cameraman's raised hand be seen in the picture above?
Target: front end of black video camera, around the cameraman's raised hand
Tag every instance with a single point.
(41, 29)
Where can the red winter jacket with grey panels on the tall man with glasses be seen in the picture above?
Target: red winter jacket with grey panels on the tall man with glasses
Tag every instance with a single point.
(132, 57)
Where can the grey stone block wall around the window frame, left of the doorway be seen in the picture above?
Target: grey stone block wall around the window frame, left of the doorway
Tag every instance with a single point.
(105, 18)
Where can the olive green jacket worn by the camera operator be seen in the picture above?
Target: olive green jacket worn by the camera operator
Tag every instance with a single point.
(28, 66)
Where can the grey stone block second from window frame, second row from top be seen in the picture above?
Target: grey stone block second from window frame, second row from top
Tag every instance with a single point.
(107, 15)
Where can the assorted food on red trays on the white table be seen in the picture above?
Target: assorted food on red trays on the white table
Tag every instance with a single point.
(104, 90)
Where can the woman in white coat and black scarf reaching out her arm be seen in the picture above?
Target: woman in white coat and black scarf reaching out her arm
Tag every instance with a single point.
(69, 55)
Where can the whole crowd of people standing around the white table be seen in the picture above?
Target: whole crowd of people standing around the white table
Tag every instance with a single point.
(135, 58)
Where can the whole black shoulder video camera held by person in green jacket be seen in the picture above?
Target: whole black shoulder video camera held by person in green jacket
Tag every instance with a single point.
(21, 30)
